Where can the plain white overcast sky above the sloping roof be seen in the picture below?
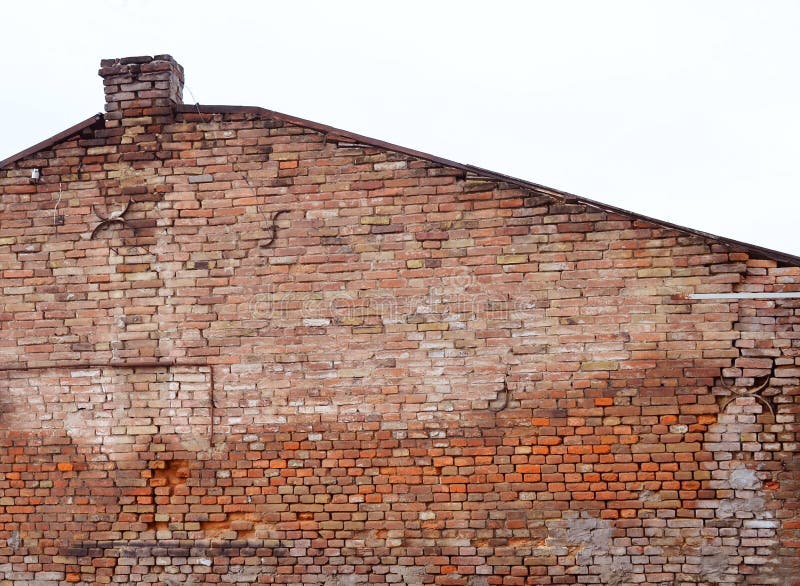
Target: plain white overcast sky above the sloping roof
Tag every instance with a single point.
(683, 110)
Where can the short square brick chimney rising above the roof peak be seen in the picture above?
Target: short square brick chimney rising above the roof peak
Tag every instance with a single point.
(140, 88)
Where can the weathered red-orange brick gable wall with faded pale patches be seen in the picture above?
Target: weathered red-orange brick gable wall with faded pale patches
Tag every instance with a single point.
(303, 359)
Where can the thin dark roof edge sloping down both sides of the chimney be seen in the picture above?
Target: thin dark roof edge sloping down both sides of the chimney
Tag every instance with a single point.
(769, 253)
